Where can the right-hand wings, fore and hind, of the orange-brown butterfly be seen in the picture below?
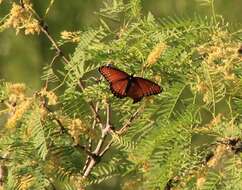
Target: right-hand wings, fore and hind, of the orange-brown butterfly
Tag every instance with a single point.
(141, 87)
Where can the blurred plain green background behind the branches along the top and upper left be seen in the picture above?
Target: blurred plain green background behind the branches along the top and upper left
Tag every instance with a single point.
(22, 57)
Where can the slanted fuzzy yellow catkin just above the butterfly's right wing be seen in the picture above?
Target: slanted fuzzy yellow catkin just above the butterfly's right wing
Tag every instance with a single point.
(156, 53)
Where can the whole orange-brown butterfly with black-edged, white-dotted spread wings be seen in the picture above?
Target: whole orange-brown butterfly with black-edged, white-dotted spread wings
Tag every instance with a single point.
(124, 85)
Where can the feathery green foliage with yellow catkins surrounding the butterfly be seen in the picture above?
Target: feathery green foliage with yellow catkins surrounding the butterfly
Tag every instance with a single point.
(187, 137)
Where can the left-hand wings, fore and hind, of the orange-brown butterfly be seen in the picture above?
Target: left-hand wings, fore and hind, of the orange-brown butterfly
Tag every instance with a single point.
(118, 80)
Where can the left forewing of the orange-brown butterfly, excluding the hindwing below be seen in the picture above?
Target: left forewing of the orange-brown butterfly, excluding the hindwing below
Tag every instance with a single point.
(112, 74)
